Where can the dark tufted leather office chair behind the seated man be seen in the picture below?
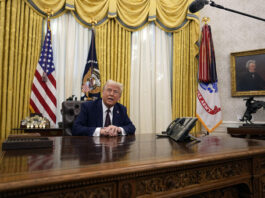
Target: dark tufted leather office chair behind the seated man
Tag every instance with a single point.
(70, 110)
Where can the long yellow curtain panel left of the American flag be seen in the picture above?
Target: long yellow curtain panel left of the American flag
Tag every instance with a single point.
(20, 41)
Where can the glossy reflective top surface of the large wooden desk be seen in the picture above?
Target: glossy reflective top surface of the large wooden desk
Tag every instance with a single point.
(83, 157)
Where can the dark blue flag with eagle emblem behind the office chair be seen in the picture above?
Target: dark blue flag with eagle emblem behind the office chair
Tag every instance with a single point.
(91, 76)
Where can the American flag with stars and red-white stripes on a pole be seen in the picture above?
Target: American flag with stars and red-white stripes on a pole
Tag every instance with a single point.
(43, 91)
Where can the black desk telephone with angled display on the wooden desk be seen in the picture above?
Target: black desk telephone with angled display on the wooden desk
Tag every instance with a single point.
(179, 129)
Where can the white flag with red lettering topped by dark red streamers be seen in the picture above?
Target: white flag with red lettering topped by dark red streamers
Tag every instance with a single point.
(208, 108)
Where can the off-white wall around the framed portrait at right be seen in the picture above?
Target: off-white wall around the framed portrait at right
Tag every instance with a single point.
(235, 33)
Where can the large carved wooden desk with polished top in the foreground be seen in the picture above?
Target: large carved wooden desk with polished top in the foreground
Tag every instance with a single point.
(136, 166)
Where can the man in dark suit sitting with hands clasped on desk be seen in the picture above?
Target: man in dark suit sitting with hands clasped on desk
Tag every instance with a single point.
(104, 117)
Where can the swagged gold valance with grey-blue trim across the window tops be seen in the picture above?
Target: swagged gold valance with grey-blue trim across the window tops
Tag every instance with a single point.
(131, 14)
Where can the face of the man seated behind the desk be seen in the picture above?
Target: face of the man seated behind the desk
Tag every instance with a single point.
(111, 94)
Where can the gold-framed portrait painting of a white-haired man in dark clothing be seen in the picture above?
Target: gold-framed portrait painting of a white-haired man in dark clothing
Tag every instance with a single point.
(248, 73)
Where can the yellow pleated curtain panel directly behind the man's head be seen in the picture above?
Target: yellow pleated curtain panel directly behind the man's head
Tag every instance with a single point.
(113, 44)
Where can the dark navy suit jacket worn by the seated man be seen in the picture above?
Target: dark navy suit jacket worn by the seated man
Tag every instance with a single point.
(91, 117)
